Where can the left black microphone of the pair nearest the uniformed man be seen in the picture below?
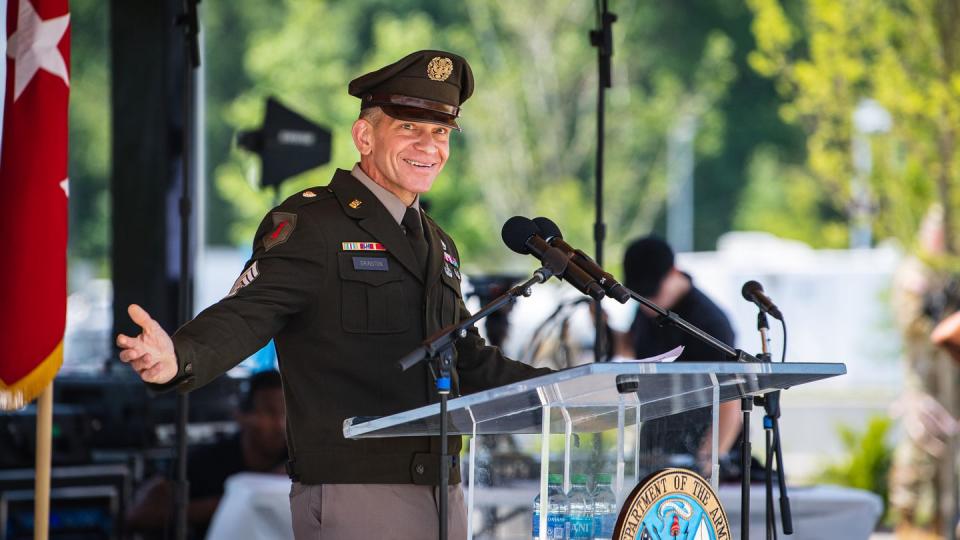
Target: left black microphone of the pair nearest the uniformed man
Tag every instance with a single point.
(521, 235)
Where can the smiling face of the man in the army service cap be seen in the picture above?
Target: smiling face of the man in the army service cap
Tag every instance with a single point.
(404, 157)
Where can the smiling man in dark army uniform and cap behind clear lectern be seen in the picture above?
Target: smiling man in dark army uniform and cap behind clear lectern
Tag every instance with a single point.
(347, 279)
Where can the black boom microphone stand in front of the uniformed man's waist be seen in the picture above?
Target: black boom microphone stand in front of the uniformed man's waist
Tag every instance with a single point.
(439, 350)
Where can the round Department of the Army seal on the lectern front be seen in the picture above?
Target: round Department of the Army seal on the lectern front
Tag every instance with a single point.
(673, 504)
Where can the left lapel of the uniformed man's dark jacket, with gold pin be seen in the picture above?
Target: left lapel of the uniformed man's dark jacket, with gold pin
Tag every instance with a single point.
(374, 218)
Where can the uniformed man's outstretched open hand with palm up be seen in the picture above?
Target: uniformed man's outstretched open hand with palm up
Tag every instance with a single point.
(151, 353)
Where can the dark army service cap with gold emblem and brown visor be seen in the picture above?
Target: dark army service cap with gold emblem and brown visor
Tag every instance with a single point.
(425, 86)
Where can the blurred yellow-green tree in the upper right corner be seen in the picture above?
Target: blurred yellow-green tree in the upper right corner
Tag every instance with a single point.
(827, 56)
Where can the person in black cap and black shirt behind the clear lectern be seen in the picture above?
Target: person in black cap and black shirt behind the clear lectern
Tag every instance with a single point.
(684, 439)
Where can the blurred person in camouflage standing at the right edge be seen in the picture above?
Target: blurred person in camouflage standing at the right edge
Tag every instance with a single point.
(923, 476)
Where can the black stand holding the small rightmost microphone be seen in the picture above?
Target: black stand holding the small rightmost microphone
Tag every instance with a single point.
(771, 425)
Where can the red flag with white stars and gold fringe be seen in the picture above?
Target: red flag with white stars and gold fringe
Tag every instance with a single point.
(33, 205)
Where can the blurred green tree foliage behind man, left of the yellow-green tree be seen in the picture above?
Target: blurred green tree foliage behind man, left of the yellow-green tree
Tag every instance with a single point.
(528, 144)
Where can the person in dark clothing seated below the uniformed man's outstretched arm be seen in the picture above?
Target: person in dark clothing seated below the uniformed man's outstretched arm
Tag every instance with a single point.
(258, 446)
